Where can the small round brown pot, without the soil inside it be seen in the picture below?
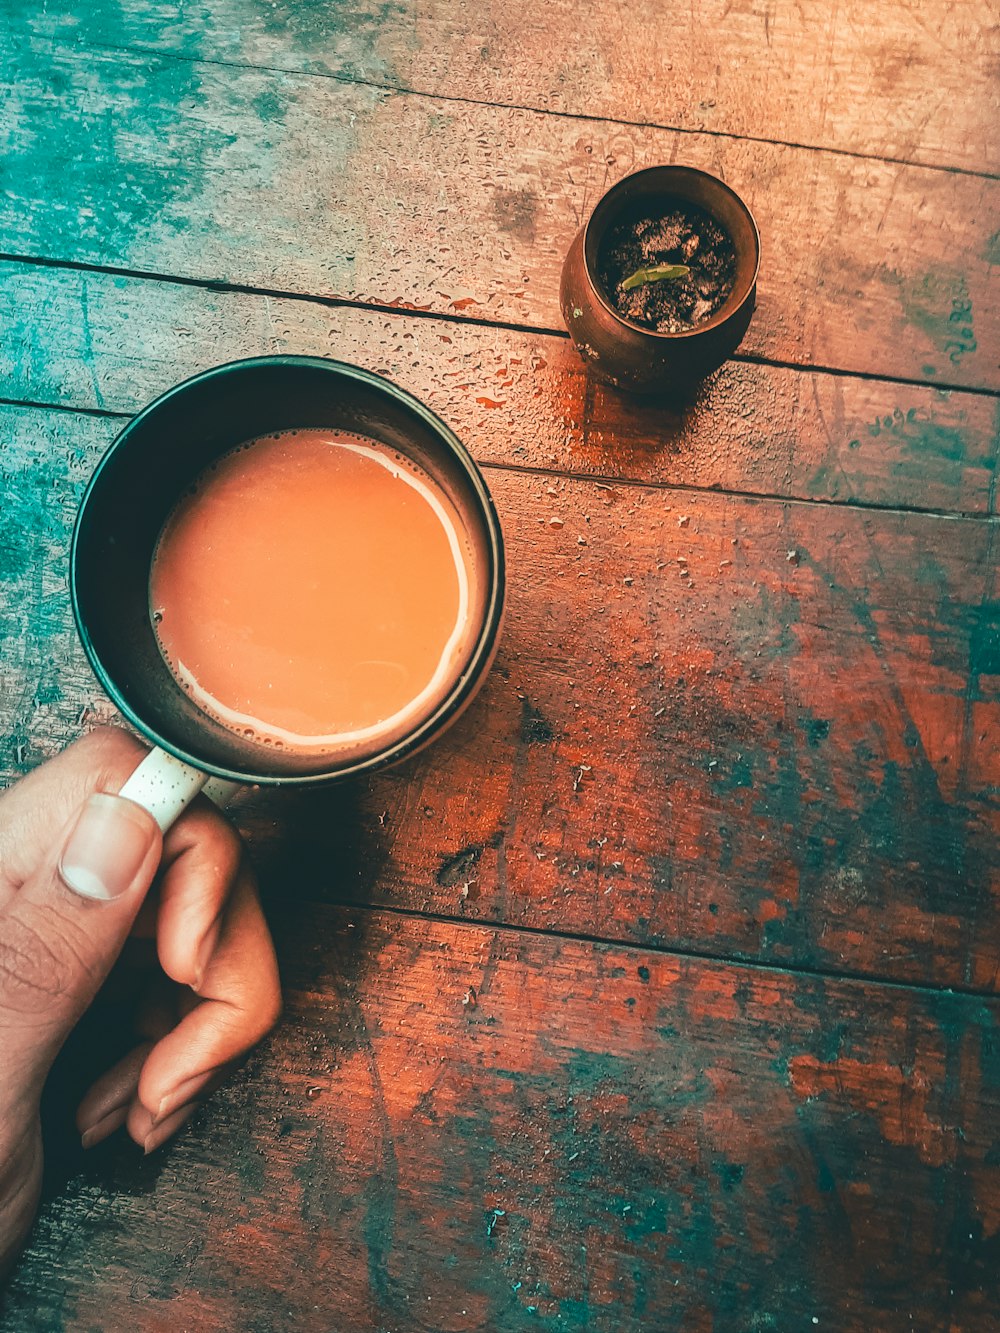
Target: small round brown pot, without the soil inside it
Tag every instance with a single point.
(627, 355)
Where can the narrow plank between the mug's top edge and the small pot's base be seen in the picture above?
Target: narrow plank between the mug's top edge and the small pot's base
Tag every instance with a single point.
(70, 339)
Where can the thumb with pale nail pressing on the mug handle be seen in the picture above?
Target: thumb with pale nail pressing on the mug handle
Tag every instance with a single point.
(65, 928)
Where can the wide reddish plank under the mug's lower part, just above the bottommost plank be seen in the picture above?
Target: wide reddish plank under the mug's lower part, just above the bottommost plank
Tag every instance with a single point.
(745, 728)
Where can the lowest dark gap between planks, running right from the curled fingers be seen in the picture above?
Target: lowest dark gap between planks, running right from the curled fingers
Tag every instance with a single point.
(670, 951)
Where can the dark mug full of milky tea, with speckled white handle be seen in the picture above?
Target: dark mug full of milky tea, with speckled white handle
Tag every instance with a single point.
(285, 571)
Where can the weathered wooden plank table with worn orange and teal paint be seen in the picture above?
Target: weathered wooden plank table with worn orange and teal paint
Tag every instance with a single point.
(661, 995)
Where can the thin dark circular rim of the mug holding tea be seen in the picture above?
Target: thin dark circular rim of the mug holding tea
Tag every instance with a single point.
(467, 682)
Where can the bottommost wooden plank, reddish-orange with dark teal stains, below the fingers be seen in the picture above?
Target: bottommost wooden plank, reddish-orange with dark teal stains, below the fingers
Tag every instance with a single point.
(467, 1130)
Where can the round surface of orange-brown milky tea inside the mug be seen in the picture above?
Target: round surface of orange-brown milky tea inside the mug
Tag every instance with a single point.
(314, 591)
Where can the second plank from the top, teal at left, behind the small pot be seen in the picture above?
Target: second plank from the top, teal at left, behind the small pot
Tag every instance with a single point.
(313, 186)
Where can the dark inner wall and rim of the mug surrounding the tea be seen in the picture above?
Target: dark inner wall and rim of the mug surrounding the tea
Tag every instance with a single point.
(161, 454)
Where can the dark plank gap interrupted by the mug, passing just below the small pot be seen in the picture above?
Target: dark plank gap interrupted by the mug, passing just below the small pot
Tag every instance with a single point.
(601, 479)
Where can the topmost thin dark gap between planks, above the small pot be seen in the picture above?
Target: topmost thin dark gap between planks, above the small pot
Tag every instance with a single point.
(407, 91)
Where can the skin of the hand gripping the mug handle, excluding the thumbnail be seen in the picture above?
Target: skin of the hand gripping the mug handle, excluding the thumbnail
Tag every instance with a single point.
(190, 916)
